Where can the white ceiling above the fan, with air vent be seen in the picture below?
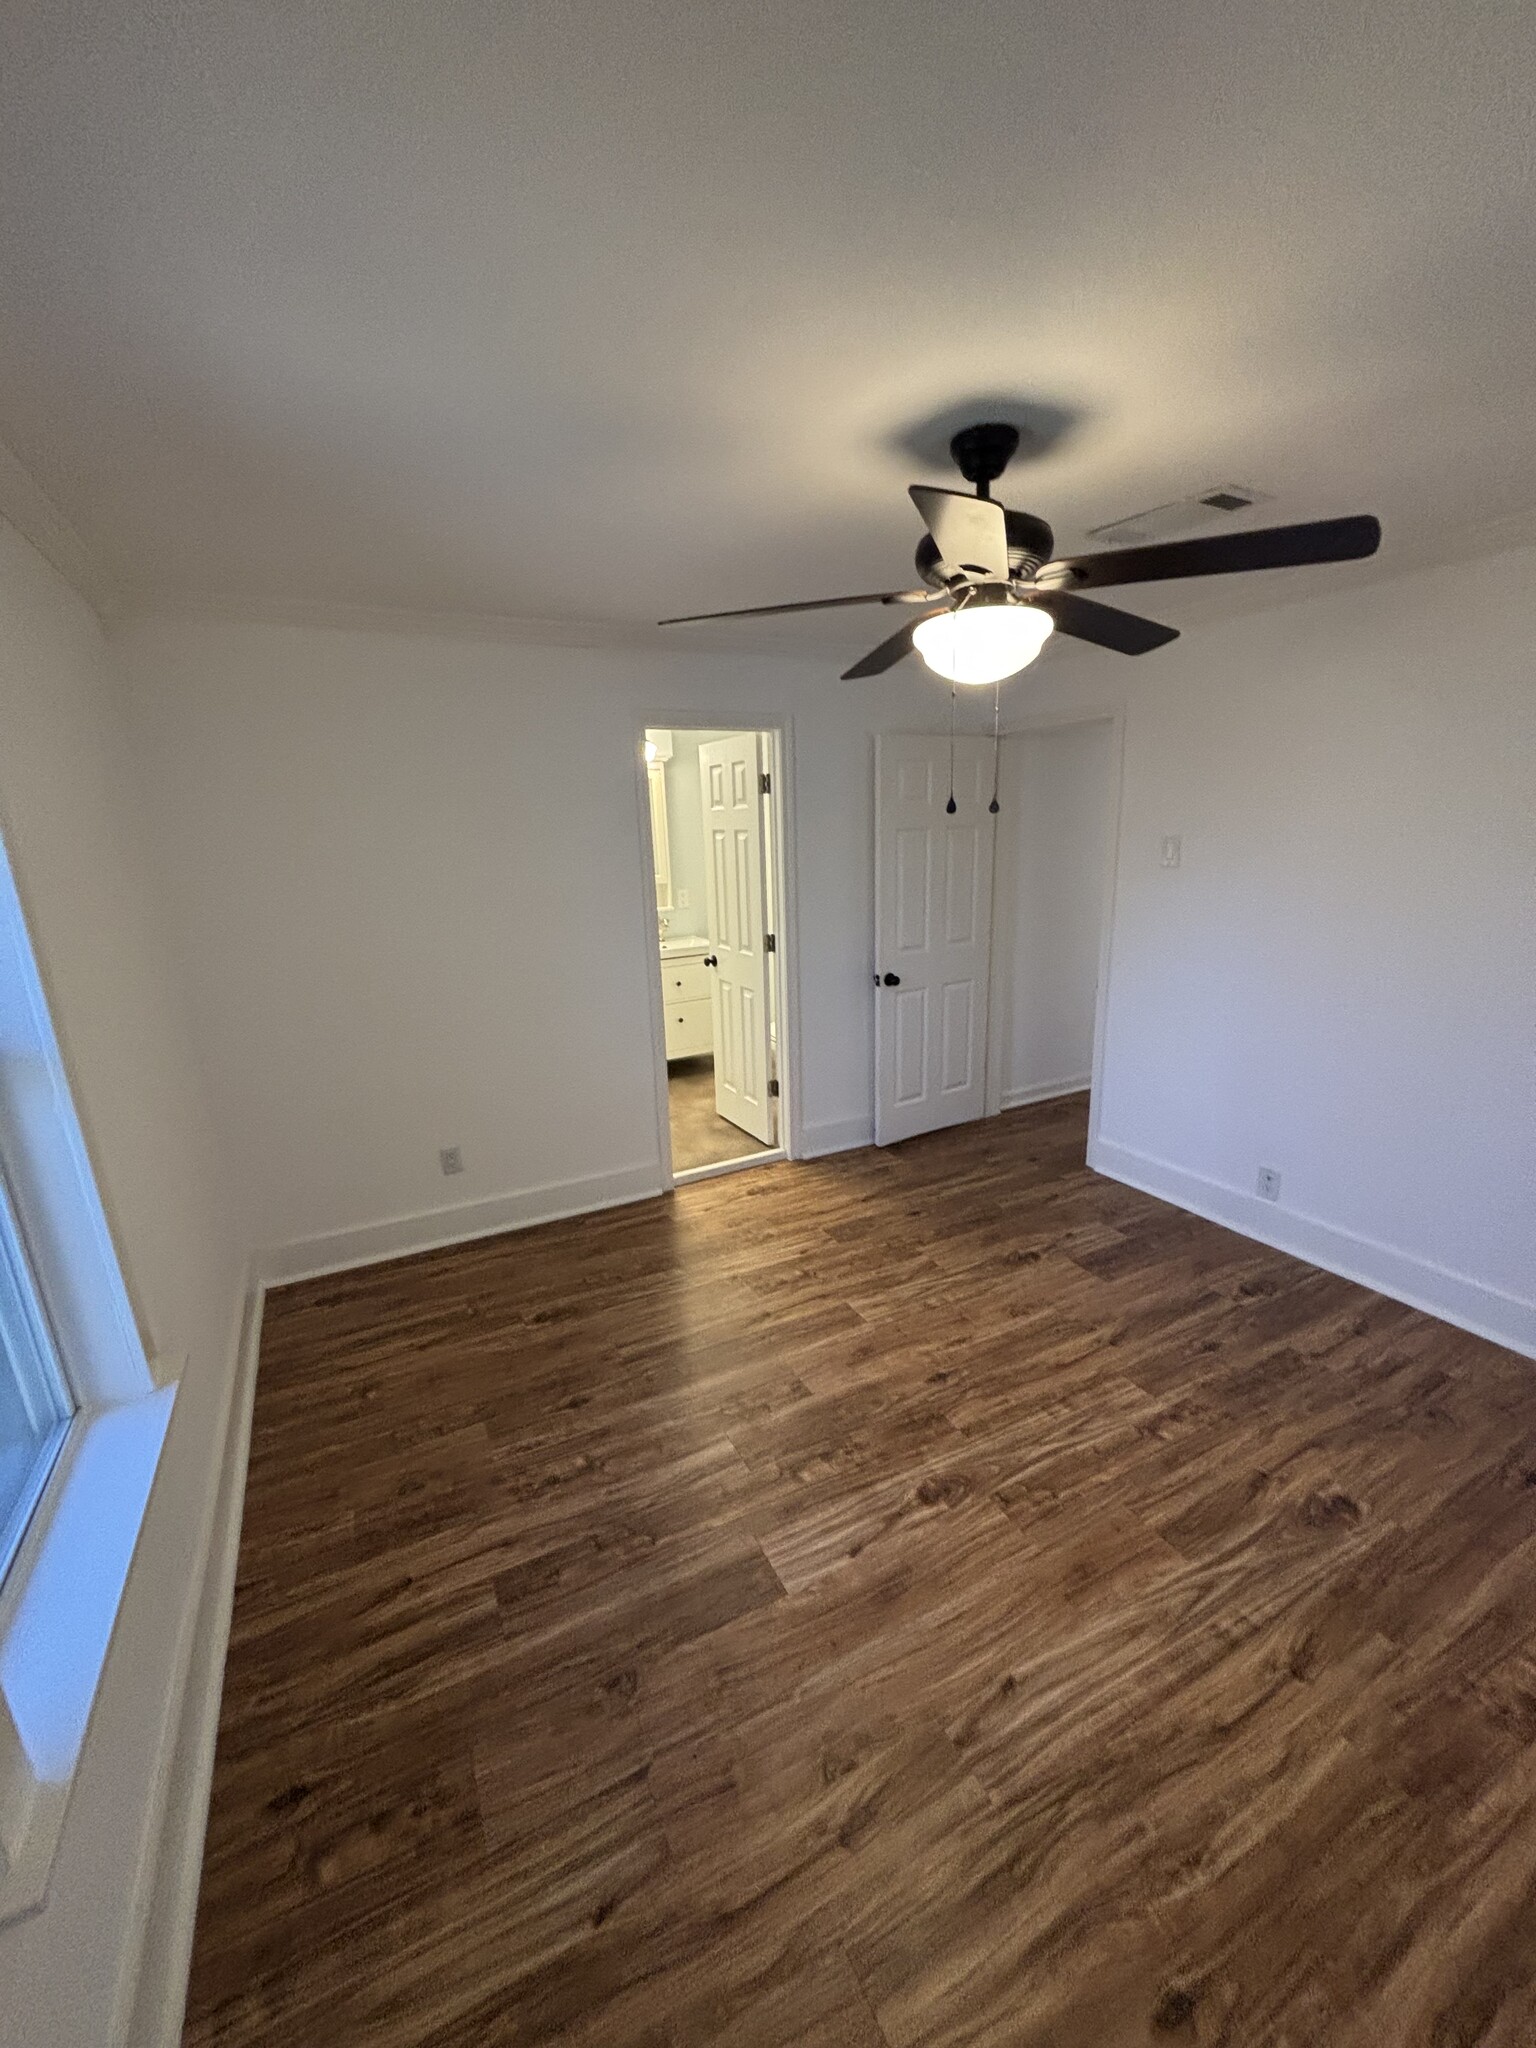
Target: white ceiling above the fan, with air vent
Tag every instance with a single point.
(603, 312)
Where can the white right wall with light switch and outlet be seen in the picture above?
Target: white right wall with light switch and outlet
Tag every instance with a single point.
(1340, 980)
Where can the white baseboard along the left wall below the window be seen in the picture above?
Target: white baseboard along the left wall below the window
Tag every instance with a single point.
(167, 1951)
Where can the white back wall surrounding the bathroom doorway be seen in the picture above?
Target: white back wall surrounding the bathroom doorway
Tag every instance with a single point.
(407, 880)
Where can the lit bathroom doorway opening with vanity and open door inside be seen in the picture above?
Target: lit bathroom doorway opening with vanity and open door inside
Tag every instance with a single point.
(716, 851)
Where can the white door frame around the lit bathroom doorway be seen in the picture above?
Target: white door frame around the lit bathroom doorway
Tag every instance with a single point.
(779, 738)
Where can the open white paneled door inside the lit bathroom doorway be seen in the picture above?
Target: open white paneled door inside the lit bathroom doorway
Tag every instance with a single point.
(730, 783)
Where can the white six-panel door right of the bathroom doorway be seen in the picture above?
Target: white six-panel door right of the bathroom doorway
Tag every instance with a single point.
(933, 933)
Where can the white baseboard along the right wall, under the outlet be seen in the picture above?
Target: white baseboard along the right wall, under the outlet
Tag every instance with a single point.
(1455, 1297)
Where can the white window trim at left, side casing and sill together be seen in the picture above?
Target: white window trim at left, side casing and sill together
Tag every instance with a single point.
(60, 1596)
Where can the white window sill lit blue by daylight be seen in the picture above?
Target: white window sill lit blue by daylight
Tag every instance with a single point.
(56, 1623)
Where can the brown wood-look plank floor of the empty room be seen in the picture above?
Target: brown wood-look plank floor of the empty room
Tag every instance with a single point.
(929, 1596)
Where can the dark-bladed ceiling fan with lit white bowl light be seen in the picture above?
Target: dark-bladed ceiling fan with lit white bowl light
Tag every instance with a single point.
(994, 593)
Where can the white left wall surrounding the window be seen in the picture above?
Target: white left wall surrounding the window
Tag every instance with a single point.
(69, 818)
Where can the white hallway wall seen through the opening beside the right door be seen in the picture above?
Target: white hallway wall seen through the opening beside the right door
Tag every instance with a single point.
(1056, 841)
